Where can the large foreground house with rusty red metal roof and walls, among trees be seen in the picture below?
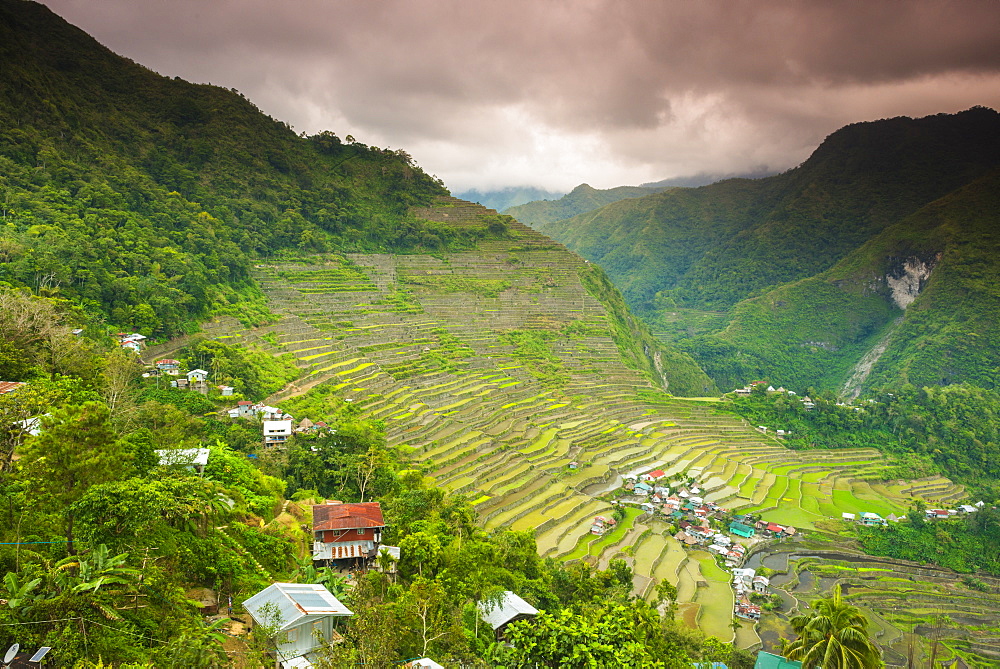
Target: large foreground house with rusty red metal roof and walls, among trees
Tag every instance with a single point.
(346, 531)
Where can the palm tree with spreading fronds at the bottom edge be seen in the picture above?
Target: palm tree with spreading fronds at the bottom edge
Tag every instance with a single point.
(833, 635)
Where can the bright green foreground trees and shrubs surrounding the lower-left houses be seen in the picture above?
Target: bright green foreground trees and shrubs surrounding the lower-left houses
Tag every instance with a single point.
(107, 553)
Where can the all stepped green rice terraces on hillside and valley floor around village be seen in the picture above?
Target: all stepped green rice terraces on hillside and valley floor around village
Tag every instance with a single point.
(502, 373)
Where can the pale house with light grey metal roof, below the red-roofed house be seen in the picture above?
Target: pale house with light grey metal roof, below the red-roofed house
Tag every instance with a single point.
(304, 614)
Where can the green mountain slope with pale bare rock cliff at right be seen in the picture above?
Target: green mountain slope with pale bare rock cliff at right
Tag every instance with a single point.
(925, 289)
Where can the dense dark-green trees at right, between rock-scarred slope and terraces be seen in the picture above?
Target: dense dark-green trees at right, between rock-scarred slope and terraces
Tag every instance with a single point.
(952, 429)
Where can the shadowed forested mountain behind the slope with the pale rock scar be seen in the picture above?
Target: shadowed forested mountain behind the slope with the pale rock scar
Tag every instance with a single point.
(710, 247)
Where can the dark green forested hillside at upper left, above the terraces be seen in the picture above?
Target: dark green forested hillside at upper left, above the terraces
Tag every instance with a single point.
(145, 199)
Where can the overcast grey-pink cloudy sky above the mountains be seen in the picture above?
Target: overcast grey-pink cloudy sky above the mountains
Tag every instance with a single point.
(553, 93)
